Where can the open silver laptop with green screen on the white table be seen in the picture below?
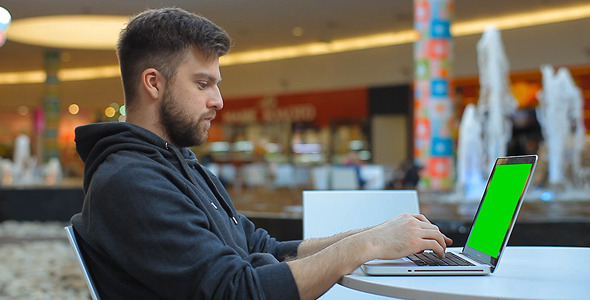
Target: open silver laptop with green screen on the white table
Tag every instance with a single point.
(492, 225)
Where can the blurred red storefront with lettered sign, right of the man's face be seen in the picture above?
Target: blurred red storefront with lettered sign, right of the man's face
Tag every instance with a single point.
(303, 129)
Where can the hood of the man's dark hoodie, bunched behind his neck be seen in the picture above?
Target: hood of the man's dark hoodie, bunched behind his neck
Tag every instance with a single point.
(95, 142)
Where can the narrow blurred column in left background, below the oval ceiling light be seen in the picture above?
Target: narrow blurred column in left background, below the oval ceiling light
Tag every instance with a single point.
(50, 106)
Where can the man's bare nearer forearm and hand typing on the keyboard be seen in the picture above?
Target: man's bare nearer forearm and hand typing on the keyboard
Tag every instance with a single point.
(404, 235)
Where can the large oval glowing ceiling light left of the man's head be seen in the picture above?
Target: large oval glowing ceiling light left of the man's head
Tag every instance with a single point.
(99, 32)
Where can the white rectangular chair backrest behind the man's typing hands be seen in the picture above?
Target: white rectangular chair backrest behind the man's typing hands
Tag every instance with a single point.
(326, 213)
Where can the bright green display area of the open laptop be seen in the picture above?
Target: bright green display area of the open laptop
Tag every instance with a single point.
(497, 209)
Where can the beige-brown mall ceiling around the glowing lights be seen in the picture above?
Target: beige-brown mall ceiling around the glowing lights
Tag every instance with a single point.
(253, 24)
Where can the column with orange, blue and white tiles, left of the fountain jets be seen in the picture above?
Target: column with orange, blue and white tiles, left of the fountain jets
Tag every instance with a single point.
(433, 107)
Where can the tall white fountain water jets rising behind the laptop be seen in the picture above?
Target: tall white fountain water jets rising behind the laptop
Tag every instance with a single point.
(484, 133)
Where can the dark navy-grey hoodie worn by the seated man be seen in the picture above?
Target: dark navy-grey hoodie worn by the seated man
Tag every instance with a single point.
(157, 225)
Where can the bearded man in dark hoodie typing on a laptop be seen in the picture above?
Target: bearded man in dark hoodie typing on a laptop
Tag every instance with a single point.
(156, 224)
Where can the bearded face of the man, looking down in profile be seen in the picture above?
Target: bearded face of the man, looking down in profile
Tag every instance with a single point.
(191, 100)
